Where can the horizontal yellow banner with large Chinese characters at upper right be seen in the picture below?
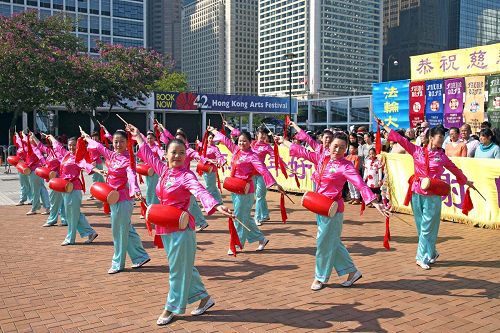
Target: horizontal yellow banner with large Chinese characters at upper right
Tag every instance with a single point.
(480, 60)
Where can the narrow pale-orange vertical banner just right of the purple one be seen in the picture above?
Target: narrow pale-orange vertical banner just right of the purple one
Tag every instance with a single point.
(474, 102)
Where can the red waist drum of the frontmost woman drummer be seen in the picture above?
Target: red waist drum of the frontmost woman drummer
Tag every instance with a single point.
(167, 216)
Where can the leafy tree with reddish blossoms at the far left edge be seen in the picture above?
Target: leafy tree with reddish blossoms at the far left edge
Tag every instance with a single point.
(34, 55)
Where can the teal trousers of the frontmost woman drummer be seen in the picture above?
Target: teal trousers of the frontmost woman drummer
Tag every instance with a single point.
(184, 280)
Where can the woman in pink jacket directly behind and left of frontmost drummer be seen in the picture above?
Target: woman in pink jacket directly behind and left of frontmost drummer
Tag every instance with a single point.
(122, 178)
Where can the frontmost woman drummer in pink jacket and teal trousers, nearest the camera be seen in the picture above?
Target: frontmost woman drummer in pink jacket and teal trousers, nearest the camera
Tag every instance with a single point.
(175, 187)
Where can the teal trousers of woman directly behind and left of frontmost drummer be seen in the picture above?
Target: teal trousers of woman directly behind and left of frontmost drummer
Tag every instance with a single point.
(125, 238)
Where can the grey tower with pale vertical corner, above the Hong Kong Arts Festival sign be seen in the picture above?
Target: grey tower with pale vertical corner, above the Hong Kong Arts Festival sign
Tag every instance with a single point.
(219, 45)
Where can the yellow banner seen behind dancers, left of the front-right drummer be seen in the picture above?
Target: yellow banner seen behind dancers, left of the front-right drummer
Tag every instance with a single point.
(303, 169)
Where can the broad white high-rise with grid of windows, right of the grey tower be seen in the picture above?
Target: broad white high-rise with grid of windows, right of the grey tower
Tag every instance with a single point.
(334, 47)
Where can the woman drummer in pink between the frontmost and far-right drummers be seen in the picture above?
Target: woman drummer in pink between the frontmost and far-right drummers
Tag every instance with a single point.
(332, 172)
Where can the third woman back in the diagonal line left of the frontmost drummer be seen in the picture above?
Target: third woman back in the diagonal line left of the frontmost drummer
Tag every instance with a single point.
(71, 171)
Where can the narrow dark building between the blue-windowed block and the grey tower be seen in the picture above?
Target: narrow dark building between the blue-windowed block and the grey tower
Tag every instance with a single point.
(164, 29)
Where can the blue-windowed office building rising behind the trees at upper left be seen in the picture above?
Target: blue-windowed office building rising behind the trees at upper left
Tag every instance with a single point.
(111, 21)
